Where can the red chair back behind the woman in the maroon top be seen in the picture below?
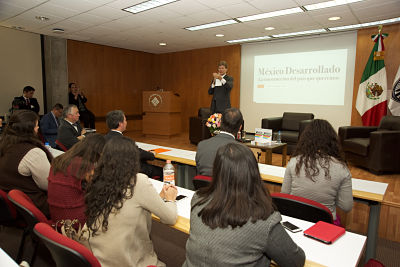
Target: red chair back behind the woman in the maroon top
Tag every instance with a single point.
(27, 208)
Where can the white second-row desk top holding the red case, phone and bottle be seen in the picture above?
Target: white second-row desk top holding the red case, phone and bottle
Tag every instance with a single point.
(317, 254)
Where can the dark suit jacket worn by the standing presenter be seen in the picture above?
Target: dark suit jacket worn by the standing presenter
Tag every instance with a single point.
(221, 96)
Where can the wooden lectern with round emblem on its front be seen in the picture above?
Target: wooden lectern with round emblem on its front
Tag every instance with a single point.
(162, 113)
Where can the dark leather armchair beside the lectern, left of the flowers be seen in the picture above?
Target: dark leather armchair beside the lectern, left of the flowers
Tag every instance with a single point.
(197, 126)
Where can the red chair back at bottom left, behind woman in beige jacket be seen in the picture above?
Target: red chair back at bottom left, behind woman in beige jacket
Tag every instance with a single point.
(66, 252)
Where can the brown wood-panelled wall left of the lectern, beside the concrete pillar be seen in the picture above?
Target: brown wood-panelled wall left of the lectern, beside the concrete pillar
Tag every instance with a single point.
(111, 78)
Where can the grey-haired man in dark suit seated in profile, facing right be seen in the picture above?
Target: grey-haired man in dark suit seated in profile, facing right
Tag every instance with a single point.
(70, 131)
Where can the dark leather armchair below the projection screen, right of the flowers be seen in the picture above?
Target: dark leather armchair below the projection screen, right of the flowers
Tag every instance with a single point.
(291, 125)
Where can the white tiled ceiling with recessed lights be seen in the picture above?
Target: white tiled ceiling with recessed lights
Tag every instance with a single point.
(103, 21)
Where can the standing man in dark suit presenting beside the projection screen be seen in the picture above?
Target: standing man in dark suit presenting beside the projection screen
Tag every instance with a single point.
(220, 88)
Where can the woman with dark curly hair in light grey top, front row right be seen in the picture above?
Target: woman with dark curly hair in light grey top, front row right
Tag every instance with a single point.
(317, 169)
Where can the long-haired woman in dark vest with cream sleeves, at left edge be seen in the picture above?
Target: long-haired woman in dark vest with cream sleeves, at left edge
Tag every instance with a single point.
(24, 161)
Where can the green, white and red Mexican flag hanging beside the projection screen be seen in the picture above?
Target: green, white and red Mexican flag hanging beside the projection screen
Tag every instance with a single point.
(372, 92)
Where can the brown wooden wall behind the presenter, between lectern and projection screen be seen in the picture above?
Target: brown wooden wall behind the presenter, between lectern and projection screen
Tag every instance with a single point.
(189, 73)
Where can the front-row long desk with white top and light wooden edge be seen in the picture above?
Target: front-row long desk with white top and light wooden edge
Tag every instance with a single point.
(368, 192)
